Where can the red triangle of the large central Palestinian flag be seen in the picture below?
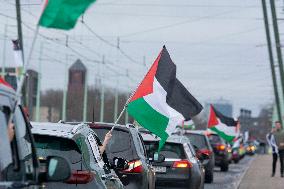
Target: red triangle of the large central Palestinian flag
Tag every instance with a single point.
(146, 86)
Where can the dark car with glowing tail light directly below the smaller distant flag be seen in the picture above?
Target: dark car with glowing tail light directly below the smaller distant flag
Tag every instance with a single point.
(220, 148)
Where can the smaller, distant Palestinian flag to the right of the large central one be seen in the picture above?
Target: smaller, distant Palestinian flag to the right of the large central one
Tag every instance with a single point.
(225, 127)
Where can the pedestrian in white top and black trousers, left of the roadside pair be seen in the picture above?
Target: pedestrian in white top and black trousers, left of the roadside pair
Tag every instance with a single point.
(272, 143)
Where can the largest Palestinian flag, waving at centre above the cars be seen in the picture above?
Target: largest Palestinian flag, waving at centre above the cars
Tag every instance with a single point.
(161, 102)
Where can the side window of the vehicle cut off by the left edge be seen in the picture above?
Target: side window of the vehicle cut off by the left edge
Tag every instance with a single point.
(5, 149)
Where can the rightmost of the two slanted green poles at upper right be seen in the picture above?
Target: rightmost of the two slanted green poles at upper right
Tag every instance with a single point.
(278, 43)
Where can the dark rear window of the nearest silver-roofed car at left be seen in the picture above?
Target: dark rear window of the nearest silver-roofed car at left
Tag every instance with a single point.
(51, 145)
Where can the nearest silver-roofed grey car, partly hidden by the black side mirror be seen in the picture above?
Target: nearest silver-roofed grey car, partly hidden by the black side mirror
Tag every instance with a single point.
(78, 144)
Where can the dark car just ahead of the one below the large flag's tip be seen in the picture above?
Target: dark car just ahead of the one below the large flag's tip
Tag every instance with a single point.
(200, 140)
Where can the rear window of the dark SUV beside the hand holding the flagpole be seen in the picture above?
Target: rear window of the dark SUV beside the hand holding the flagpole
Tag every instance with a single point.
(120, 144)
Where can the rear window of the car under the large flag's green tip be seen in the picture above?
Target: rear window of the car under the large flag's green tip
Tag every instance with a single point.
(169, 150)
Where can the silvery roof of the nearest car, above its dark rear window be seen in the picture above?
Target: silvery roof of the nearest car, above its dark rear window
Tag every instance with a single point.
(56, 129)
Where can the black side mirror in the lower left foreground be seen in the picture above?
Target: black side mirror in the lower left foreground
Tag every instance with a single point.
(57, 169)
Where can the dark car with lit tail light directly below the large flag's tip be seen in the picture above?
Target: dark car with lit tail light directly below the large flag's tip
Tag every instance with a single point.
(179, 167)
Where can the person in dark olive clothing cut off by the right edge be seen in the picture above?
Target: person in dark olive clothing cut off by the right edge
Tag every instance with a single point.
(279, 139)
